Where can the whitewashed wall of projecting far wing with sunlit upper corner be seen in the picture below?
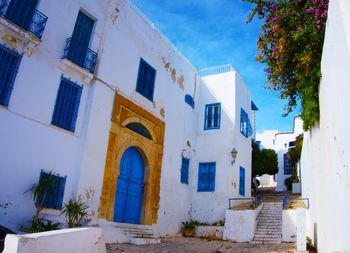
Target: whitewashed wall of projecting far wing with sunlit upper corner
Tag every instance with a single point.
(216, 145)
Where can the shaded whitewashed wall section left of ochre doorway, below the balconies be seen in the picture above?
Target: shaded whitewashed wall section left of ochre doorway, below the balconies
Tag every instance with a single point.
(29, 142)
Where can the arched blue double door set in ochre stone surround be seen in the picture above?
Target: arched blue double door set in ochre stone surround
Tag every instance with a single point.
(128, 200)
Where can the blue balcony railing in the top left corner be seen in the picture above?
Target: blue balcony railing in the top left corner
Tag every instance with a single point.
(24, 16)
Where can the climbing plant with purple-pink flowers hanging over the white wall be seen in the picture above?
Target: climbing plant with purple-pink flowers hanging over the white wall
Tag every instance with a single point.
(290, 44)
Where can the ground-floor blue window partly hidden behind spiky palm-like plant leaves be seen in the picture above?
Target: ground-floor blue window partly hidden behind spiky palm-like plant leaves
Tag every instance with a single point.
(54, 196)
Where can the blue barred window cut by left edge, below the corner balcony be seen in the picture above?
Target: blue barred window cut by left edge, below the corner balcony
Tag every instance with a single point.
(9, 63)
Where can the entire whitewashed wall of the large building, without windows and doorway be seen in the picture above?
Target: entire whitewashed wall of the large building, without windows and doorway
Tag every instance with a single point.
(30, 143)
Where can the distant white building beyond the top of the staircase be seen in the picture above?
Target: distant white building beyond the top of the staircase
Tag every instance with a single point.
(281, 142)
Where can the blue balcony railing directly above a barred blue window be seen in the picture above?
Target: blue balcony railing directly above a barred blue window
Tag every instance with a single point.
(82, 56)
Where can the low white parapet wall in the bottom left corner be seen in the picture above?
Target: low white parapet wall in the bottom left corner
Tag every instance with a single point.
(77, 240)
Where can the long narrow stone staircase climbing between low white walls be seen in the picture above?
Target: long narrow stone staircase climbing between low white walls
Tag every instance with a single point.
(269, 227)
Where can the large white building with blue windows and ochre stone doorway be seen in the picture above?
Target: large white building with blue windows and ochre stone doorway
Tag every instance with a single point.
(102, 99)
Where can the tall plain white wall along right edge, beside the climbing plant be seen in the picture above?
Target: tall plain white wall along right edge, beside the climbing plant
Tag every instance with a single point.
(325, 156)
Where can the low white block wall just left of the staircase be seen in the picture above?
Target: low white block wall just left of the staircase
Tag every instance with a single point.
(240, 224)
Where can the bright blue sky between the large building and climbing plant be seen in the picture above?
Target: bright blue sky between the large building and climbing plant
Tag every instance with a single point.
(214, 32)
